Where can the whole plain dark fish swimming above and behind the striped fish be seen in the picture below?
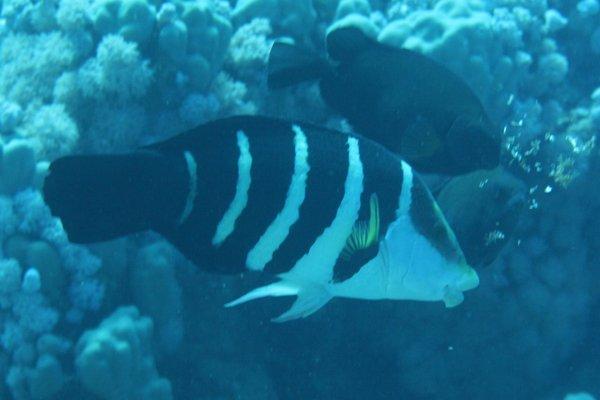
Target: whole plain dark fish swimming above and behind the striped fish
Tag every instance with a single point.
(399, 98)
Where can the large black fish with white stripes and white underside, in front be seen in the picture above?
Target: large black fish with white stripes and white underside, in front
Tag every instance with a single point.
(329, 214)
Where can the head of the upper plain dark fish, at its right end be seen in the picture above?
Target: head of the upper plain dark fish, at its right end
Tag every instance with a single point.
(473, 143)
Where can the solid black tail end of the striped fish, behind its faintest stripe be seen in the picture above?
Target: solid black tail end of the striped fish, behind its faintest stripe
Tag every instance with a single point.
(102, 197)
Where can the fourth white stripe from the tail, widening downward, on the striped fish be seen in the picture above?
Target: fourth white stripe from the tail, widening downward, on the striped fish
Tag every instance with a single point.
(316, 266)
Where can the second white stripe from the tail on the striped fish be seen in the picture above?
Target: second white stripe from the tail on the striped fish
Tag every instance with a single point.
(227, 223)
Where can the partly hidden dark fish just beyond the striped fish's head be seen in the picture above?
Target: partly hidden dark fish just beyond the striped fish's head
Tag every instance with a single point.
(483, 208)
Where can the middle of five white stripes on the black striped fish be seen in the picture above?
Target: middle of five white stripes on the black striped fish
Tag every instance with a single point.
(279, 229)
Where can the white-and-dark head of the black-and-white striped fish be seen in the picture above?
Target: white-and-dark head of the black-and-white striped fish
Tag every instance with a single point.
(422, 258)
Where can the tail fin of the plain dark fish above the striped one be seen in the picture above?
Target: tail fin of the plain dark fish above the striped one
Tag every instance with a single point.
(290, 65)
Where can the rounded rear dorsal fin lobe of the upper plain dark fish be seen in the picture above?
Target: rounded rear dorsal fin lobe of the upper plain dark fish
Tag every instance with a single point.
(345, 43)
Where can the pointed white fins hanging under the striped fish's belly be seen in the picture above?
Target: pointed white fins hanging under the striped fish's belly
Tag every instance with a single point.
(310, 298)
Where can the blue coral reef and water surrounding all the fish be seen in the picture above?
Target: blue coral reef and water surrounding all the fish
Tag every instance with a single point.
(132, 319)
